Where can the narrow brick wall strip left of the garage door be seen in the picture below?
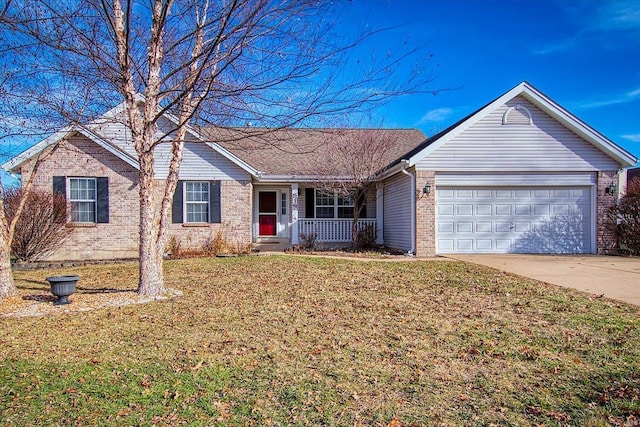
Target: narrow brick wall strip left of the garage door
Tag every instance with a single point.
(425, 215)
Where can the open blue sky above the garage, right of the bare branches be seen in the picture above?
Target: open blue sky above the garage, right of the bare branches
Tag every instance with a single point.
(584, 54)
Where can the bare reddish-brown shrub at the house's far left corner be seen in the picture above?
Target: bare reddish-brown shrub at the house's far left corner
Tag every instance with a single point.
(40, 230)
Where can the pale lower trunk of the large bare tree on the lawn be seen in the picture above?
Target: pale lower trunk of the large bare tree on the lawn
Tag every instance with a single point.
(151, 280)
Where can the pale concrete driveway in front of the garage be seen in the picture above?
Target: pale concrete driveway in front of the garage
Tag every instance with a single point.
(614, 277)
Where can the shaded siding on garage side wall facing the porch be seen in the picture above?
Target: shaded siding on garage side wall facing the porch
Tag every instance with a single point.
(397, 212)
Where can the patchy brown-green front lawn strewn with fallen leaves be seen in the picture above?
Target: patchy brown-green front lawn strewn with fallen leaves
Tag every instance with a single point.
(314, 341)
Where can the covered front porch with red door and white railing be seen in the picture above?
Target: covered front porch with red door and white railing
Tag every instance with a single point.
(294, 213)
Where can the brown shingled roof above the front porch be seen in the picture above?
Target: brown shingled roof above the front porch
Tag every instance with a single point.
(298, 151)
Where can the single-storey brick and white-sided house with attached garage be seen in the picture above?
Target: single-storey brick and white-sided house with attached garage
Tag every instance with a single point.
(519, 175)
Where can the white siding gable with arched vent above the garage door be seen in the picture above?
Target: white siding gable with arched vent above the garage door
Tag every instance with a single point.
(545, 145)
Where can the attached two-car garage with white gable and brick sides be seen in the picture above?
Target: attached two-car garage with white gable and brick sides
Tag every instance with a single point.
(519, 175)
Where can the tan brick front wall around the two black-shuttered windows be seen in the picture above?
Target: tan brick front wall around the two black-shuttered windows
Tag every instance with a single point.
(119, 238)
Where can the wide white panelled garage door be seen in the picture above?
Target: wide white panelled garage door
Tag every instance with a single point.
(513, 219)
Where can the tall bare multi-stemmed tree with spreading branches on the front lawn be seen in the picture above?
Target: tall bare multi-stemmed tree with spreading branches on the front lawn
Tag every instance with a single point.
(277, 63)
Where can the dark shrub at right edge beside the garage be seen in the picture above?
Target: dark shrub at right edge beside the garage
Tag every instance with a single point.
(623, 219)
